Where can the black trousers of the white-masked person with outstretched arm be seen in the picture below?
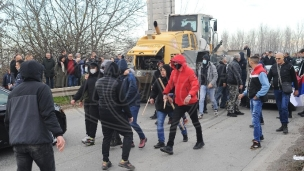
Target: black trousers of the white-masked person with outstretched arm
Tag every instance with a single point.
(91, 119)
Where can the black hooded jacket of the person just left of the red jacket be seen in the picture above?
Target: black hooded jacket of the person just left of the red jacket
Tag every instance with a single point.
(157, 91)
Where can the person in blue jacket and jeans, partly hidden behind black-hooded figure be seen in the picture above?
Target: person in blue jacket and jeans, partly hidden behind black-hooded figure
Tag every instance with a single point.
(132, 97)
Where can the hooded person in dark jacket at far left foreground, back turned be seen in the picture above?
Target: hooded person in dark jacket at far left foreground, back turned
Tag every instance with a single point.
(31, 120)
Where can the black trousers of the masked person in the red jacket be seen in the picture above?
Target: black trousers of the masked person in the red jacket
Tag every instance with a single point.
(178, 113)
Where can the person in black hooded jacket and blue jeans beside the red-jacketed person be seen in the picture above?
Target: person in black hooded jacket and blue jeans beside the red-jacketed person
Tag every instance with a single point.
(157, 98)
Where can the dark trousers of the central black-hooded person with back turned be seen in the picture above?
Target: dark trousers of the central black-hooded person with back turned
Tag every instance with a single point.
(107, 136)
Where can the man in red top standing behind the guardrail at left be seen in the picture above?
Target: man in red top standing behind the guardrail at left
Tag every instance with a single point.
(70, 64)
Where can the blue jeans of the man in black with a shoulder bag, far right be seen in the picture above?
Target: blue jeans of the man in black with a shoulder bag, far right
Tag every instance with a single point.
(282, 100)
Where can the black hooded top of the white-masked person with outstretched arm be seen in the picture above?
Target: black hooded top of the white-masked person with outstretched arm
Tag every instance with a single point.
(89, 87)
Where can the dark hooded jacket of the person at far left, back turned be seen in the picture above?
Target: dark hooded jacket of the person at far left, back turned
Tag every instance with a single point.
(30, 116)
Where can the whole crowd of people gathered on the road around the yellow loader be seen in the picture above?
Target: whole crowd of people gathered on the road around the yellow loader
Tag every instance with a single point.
(109, 93)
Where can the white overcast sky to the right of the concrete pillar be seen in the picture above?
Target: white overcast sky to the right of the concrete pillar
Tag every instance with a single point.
(233, 15)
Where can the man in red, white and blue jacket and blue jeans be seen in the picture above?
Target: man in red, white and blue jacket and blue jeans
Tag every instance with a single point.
(257, 89)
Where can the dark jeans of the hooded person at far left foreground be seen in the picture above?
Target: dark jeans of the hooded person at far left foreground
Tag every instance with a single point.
(42, 154)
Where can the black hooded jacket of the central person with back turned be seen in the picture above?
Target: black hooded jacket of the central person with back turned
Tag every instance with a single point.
(113, 112)
